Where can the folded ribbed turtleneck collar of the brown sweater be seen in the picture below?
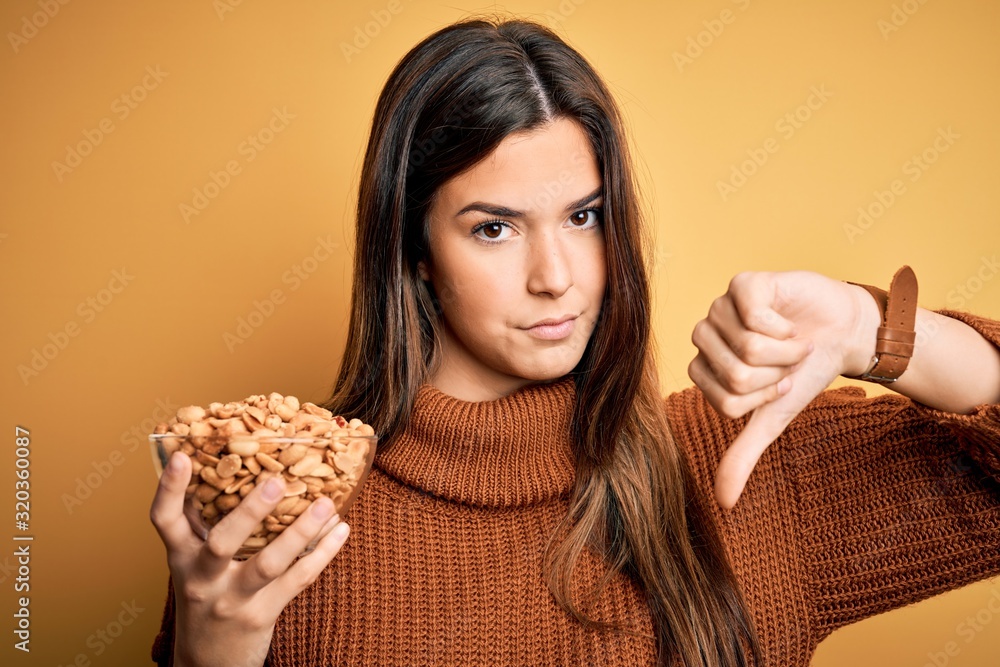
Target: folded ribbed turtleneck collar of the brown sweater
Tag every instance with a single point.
(510, 452)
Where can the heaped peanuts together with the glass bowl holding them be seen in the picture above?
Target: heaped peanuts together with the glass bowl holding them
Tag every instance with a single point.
(236, 446)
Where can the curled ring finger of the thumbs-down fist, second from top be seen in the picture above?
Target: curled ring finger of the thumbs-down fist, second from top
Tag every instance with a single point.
(754, 347)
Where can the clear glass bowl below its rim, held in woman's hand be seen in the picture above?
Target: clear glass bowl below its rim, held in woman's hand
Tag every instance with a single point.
(227, 466)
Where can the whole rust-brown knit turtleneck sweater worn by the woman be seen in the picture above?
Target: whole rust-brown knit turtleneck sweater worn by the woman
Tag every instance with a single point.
(861, 506)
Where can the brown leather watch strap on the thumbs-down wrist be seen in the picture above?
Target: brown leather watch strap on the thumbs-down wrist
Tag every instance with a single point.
(895, 338)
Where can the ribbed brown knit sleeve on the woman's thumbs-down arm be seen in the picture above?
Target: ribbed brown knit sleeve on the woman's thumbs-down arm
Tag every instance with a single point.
(899, 502)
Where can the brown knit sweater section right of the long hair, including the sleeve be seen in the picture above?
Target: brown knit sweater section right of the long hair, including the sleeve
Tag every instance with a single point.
(862, 505)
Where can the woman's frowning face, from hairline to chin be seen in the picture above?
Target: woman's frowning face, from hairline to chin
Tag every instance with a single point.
(517, 263)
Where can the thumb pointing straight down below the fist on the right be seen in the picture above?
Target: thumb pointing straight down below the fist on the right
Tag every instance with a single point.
(763, 428)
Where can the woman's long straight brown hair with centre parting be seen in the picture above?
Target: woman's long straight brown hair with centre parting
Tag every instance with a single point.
(448, 104)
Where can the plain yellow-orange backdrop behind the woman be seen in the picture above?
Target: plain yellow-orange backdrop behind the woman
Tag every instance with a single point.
(229, 64)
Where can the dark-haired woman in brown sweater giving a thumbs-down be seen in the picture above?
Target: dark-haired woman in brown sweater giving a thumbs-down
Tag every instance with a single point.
(535, 501)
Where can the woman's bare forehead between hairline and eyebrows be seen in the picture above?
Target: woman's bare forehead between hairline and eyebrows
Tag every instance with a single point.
(529, 171)
